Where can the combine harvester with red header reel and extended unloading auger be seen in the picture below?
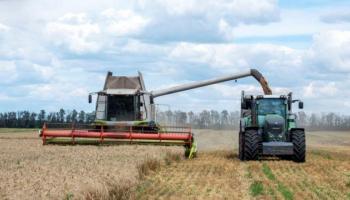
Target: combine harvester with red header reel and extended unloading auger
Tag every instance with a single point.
(125, 112)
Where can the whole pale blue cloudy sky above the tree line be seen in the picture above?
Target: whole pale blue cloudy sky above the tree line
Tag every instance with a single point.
(53, 53)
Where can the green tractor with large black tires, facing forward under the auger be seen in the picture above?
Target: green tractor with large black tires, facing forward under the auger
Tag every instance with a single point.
(268, 128)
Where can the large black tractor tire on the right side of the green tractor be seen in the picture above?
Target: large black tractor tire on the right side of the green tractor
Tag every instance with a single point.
(298, 139)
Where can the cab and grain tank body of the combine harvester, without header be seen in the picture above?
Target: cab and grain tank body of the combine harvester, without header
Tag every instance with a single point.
(122, 100)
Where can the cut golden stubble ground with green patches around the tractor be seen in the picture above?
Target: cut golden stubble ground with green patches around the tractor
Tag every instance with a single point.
(218, 174)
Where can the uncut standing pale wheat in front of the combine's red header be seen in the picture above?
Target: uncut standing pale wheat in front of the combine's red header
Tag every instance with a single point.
(29, 170)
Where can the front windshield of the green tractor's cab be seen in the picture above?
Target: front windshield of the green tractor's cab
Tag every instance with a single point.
(271, 106)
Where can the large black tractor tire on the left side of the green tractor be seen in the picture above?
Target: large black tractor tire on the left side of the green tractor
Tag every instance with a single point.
(251, 145)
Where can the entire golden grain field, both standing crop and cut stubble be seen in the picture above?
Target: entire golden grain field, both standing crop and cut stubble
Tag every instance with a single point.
(29, 170)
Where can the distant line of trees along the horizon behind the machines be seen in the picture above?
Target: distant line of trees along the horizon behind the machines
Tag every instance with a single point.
(206, 119)
